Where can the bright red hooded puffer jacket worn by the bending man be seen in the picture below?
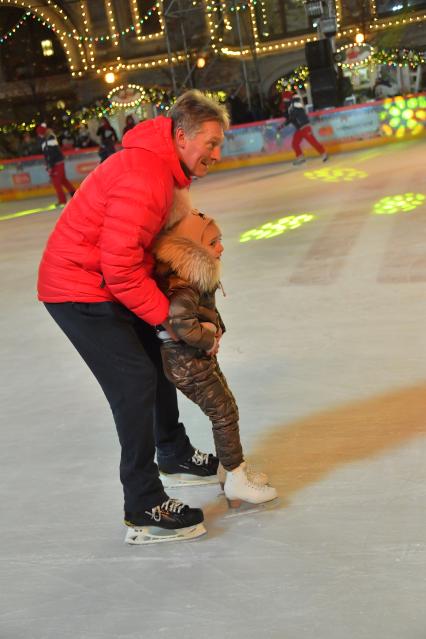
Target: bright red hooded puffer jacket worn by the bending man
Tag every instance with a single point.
(100, 248)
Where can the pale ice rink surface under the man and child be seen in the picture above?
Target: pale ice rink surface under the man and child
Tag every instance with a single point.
(325, 352)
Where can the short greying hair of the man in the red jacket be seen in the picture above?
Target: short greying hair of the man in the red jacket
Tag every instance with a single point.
(193, 108)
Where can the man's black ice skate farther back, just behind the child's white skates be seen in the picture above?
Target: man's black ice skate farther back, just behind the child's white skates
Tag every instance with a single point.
(201, 468)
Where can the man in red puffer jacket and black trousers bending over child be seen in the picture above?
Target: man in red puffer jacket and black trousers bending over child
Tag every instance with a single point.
(95, 279)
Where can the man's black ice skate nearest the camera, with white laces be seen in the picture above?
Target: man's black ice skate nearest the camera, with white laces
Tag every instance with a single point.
(170, 521)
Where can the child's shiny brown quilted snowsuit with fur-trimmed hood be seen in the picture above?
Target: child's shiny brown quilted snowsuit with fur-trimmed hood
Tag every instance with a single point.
(189, 277)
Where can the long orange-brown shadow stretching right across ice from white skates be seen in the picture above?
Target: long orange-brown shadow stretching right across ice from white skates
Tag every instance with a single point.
(301, 453)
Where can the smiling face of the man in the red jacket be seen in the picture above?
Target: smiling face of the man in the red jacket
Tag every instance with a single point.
(202, 150)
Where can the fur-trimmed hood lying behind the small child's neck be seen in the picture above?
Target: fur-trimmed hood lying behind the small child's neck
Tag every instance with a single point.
(188, 260)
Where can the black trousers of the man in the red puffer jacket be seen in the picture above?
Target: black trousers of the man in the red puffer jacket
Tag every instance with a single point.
(123, 353)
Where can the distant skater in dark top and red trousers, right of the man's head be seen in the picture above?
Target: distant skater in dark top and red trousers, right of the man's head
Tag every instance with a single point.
(294, 113)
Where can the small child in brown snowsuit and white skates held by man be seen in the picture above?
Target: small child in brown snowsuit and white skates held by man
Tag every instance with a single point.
(188, 272)
